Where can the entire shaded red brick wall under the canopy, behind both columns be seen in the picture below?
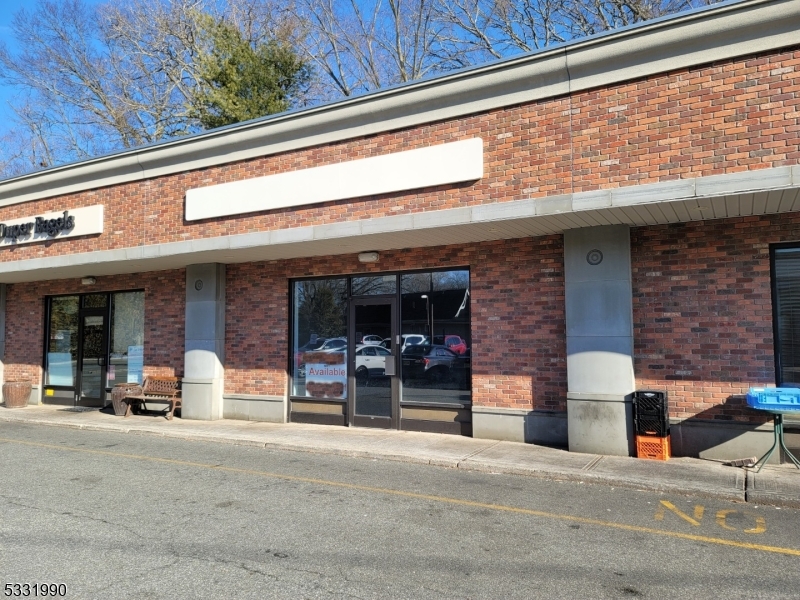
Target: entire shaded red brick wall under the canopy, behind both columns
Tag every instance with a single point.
(701, 310)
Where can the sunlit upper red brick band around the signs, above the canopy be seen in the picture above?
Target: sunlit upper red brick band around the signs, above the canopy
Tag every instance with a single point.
(721, 118)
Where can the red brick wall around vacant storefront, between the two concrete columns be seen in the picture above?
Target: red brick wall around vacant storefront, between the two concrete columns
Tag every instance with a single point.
(518, 331)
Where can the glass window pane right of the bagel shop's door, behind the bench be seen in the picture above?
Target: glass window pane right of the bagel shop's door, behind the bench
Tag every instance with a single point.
(126, 350)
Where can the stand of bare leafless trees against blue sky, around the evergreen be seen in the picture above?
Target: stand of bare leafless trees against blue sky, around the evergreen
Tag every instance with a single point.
(95, 79)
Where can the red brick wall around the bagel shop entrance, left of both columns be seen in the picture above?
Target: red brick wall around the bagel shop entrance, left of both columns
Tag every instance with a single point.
(164, 307)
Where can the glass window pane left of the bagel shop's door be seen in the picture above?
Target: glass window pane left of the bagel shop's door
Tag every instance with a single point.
(62, 347)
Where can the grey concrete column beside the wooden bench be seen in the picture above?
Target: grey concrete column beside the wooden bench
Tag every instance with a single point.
(204, 358)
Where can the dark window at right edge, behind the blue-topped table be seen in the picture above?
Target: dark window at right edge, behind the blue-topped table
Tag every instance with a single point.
(787, 314)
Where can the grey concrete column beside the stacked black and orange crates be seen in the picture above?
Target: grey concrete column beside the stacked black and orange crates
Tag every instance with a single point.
(599, 313)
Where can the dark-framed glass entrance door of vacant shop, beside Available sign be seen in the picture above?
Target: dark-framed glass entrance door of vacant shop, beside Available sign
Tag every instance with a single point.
(373, 364)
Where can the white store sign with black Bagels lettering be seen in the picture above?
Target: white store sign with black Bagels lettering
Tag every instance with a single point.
(57, 225)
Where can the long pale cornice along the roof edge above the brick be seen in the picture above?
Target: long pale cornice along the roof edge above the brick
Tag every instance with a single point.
(677, 42)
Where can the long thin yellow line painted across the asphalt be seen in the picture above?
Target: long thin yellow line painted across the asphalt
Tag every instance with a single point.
(429, 497)
